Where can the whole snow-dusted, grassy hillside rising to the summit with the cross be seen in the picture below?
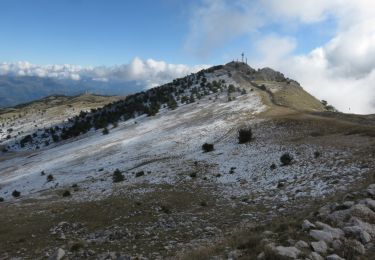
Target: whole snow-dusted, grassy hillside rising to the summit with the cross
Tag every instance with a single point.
(146, 188)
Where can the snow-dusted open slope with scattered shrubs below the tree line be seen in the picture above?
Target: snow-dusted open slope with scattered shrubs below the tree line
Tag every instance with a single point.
(167, 148)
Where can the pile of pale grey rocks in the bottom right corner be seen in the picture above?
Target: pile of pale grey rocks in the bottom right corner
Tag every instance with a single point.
(348, 236)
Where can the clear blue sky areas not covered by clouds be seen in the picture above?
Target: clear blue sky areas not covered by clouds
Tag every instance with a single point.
(108, 32)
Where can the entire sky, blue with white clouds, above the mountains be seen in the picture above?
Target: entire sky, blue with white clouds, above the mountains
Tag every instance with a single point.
(327, 46)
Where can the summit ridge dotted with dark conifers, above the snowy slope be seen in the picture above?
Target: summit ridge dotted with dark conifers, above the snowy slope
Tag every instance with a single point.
(275, 89)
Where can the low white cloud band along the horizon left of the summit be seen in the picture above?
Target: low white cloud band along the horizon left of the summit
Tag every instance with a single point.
(147, 73)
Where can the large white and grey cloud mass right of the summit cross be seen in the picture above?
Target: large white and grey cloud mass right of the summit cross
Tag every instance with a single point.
(342, 70)
